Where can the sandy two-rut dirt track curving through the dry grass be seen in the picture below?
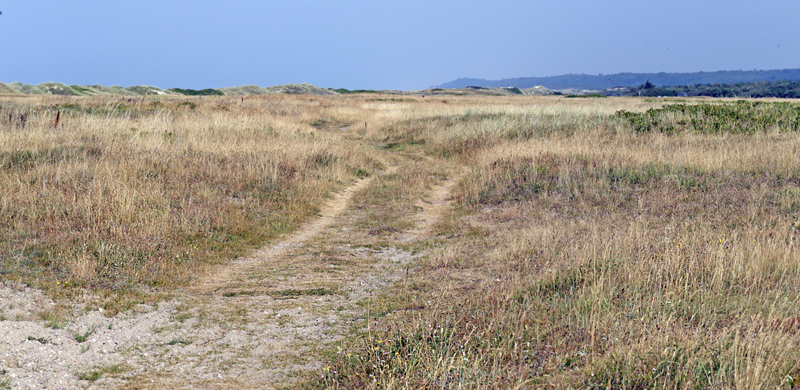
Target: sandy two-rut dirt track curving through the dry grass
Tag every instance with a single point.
(257, 323)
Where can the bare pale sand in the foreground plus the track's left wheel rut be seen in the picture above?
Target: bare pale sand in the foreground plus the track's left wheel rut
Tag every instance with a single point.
(210, 337)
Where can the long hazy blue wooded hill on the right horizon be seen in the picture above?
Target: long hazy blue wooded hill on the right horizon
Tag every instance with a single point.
(601, 81)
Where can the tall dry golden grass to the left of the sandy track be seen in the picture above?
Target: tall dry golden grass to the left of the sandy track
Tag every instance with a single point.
(149, 192)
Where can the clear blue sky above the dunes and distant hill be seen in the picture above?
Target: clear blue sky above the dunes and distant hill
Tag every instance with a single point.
(380, 44)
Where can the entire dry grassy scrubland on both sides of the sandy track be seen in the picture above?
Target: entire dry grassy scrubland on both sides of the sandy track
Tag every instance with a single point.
(585, 245)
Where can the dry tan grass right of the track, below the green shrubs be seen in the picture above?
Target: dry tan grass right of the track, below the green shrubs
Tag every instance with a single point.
(582, 254)
